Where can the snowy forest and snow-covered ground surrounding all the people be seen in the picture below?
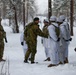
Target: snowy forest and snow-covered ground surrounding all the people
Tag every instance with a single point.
(16, 14)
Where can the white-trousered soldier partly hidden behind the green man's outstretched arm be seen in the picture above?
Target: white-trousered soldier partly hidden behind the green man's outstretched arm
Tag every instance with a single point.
(45, 40)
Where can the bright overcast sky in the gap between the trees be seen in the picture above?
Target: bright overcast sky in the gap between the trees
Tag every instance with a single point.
(42, 5)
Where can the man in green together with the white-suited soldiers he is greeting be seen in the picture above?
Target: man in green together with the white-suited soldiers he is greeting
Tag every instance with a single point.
(55, 39)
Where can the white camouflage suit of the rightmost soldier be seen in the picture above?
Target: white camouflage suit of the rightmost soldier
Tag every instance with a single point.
(65, 36)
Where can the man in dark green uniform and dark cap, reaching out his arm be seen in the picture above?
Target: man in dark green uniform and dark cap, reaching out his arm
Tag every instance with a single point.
(31, 32)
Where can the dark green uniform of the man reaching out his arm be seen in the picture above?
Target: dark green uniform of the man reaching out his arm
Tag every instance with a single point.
(30, 37)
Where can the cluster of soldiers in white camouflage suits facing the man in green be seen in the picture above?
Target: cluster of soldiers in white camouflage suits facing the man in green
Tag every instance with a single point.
(56, 46)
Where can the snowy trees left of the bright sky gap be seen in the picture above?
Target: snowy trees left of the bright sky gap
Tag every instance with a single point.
(15, 10)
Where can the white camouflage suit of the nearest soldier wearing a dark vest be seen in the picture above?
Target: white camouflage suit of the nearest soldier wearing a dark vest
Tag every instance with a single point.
(53, 45)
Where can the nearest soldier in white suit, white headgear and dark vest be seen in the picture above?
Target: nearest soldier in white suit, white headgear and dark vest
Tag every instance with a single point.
(53, 43)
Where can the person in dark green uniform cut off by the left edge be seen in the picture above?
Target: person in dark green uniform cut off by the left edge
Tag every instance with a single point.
(2, 37)
